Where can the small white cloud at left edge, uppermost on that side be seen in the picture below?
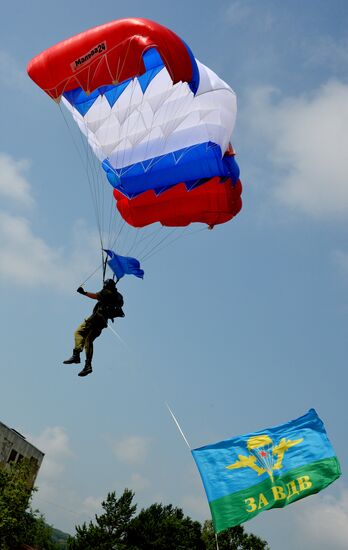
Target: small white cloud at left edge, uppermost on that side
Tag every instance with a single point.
(13, 182)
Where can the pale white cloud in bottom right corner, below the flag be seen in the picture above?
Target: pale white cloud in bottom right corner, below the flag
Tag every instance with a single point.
(323, 523)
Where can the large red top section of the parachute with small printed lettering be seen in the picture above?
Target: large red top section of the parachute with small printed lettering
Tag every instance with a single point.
(108, 54)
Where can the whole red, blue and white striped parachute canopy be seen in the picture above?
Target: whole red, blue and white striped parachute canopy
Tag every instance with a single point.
(158, 120)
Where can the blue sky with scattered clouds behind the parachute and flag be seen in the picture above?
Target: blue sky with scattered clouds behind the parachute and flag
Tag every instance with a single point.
(238, 328)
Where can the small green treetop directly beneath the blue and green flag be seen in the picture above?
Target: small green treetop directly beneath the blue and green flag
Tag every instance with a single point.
(234, 538)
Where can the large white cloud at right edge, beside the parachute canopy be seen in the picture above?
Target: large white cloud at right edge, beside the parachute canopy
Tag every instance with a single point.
(306, 140)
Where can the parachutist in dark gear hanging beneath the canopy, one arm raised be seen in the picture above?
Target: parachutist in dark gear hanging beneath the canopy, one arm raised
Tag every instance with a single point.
(109, 305)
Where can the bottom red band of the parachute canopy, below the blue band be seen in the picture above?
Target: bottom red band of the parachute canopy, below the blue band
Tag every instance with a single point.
(212, 203)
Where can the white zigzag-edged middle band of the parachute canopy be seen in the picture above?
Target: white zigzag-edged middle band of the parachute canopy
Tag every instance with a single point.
(166, 117)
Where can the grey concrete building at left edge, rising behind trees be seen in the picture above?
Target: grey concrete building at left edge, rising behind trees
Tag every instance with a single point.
(14, 447)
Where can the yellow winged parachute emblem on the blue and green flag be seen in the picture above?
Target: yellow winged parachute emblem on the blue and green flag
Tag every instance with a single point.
(265, 456)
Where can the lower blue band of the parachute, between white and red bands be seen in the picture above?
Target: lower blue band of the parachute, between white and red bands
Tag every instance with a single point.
(185, 165)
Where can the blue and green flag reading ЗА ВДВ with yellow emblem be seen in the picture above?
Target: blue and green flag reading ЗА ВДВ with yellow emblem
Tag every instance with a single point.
(271, 468)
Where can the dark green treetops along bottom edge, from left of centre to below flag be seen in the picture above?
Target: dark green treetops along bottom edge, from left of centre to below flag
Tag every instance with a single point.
(157, 527)
